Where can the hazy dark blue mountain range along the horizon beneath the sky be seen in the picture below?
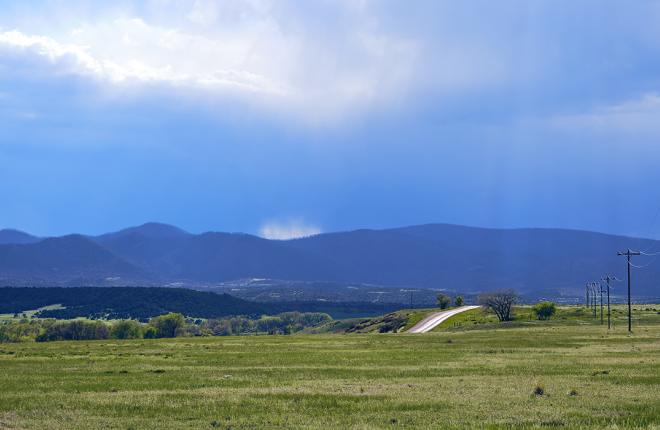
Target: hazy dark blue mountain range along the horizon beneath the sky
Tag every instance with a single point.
(442, 256)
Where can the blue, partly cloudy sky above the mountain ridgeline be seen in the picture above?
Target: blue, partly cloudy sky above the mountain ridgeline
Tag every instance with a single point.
(289, 118)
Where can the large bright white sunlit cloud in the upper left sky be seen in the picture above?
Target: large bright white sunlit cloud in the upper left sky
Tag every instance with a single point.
(241, 49)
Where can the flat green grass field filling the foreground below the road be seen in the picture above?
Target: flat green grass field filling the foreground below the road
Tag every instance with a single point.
(477, 378)
